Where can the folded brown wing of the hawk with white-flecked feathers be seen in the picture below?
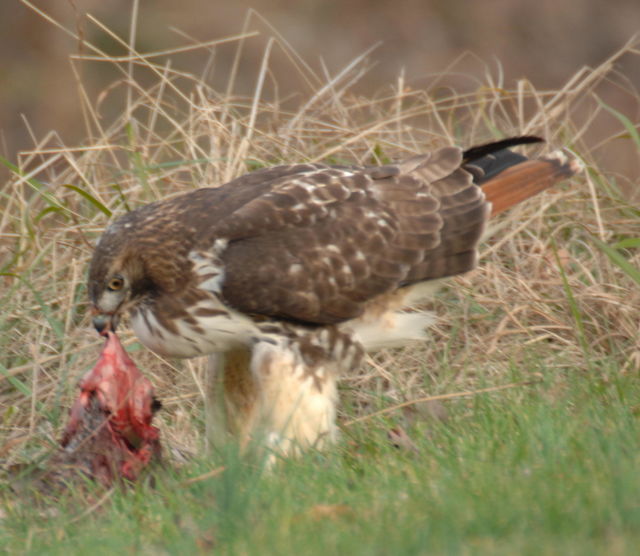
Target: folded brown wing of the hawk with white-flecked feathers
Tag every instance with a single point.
(319, 244)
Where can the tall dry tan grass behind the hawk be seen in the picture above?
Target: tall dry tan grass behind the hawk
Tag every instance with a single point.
(512, 313)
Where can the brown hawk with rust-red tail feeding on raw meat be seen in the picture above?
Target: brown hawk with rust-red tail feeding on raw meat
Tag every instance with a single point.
(286, 276)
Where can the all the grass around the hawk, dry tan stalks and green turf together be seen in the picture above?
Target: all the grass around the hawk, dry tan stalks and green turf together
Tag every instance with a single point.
(546, 466)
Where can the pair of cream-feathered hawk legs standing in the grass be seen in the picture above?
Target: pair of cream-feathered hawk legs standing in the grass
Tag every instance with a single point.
(283, 393)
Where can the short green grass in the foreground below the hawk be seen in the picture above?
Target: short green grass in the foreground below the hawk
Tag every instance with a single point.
(545, 469)
